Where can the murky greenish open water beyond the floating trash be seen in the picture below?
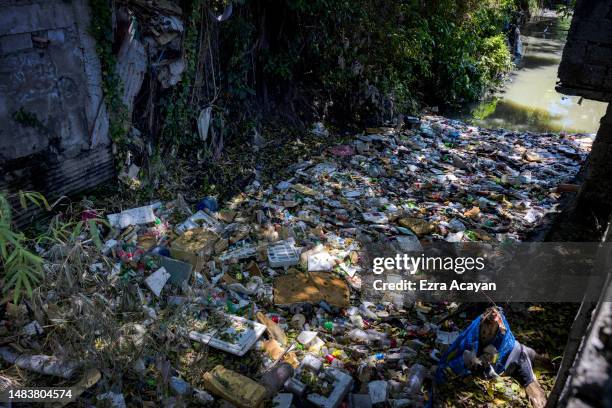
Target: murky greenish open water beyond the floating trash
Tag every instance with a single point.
(529, 101)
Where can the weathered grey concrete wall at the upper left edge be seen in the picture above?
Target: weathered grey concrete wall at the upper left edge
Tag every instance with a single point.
(53, 122)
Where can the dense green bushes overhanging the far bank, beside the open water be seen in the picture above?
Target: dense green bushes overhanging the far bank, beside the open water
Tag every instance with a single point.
(373, 56)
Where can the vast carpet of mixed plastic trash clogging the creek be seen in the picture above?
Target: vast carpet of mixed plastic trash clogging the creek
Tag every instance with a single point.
(260, 300)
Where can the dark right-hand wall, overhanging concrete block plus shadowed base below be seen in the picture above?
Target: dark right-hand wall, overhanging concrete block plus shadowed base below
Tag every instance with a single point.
(586, 70)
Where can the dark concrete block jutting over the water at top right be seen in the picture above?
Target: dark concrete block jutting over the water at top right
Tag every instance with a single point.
(586, 67)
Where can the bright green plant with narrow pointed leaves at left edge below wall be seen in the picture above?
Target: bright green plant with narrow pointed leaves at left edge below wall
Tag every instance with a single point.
(21, 269)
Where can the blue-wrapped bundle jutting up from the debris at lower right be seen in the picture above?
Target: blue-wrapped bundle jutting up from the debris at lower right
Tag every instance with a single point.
(488, 348)
